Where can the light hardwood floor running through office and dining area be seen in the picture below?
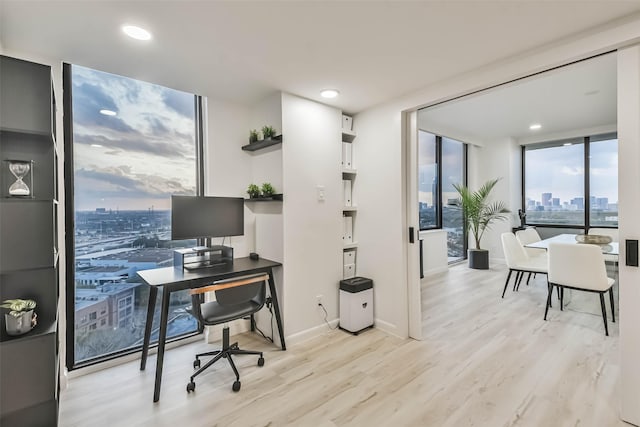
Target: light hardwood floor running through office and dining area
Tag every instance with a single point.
(485, 361)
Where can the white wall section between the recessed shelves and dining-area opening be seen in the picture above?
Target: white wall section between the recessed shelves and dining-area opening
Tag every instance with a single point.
(381, 229)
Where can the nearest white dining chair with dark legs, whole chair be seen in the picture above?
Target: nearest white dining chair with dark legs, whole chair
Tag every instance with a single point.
(579, 267)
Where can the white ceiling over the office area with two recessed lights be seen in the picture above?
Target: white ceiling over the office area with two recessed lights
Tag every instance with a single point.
(241, 51)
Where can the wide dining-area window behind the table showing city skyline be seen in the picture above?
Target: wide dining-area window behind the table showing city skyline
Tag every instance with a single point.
(572, 183)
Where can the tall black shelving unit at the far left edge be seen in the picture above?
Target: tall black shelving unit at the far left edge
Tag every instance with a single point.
(28, 245)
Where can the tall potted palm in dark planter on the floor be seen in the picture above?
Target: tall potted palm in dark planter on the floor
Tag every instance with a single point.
(478, 214)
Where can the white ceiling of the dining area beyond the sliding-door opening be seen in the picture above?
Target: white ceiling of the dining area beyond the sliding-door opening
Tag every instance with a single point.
(578, 97)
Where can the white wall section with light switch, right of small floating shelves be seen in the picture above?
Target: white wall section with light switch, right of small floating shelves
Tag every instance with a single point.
(312, 229)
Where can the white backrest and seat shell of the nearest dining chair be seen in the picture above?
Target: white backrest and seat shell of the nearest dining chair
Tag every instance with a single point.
(577, 265)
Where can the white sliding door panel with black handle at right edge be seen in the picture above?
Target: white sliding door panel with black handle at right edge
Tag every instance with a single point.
(629, 226)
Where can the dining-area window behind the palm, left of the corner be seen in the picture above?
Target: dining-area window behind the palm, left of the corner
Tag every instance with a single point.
(442, 163)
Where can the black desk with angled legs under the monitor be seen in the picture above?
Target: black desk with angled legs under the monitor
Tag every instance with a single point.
(176, 279)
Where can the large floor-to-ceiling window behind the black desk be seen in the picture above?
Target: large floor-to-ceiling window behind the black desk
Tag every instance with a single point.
(130, 145)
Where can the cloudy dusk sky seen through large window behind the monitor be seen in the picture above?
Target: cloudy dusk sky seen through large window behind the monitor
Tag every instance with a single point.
(137, 158)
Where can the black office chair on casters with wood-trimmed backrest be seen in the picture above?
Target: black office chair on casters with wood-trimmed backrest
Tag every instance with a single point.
(235, 299)
